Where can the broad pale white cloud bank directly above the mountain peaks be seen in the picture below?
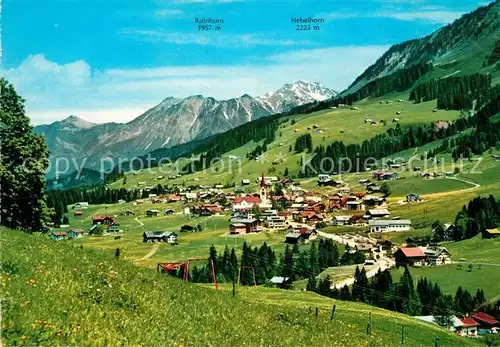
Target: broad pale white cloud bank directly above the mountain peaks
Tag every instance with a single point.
(54, 91)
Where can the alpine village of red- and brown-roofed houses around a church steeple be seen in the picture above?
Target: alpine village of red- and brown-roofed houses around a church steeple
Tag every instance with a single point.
(301, 216)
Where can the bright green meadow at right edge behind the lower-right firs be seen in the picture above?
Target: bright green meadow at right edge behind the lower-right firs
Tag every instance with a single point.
(476, 250)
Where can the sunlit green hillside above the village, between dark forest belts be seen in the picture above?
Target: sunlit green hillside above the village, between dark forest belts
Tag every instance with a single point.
(340, 124)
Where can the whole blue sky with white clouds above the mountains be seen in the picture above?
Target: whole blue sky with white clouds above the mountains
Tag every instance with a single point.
(110, 60)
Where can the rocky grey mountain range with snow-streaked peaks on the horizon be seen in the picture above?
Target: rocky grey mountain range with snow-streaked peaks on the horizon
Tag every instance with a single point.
(173, 121)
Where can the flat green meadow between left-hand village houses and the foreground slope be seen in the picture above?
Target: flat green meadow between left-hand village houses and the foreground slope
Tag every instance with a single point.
(214, 232)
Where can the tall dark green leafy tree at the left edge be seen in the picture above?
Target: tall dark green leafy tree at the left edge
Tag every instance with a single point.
(23, 165)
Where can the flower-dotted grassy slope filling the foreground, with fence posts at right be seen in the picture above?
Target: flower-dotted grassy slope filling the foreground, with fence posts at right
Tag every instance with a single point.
(55, 294)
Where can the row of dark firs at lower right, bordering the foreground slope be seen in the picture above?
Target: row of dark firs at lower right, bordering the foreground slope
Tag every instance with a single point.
(424, 299)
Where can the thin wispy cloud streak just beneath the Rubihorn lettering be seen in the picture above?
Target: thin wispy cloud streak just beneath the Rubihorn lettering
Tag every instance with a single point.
(219, 40)
